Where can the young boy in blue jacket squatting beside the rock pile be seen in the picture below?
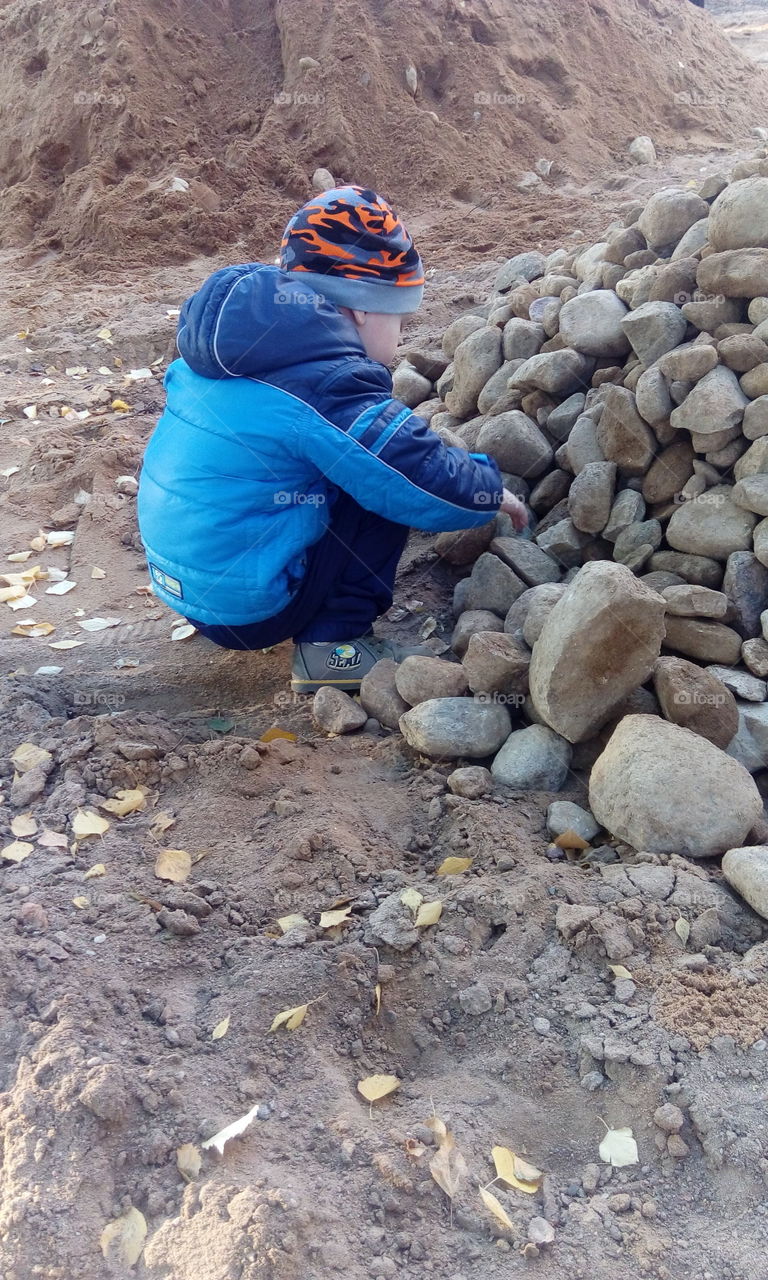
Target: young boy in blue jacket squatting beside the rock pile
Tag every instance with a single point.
(282, 479)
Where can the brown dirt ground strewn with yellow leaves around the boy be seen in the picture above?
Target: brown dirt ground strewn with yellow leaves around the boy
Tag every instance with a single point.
(505, 1020)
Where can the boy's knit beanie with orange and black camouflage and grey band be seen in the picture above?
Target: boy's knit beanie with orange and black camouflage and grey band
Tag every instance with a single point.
(351, 248)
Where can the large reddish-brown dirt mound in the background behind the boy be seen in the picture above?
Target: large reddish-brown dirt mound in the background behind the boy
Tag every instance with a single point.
(156, 132)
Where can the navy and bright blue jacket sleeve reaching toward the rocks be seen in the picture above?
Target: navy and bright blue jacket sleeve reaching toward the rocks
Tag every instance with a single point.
(390, 461)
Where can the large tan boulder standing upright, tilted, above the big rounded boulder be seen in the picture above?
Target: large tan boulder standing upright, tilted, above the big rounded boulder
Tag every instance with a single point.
(600, 643)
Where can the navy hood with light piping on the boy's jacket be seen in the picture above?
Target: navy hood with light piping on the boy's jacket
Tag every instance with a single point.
(253, 319)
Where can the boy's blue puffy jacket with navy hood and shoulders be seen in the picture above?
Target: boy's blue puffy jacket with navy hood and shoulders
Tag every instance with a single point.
(273, 409)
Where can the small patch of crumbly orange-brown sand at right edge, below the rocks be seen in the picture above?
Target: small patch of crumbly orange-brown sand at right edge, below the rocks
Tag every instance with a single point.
(706, 1005)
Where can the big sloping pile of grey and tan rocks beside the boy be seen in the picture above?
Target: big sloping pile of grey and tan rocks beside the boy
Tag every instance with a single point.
(623, 390)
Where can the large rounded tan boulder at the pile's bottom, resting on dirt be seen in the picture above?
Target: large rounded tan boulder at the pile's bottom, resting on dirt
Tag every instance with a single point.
(666, 790)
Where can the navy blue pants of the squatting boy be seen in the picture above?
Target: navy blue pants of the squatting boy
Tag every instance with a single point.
(349, 583)
